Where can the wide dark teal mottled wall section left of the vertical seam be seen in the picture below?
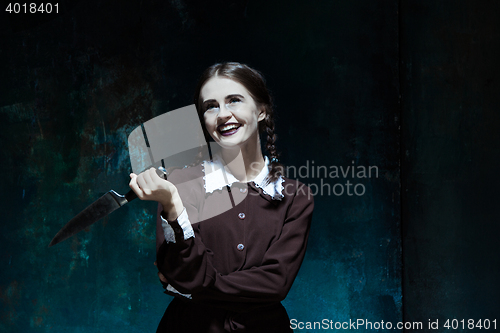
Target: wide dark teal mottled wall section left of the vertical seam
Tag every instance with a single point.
(73, 87)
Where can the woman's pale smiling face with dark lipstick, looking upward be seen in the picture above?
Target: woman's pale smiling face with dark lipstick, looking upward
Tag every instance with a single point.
(230, 113)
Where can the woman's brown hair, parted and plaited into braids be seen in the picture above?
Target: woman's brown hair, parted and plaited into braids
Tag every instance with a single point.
(255, 83)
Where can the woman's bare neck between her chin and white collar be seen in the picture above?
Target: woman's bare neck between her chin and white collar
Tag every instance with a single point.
(244, 162)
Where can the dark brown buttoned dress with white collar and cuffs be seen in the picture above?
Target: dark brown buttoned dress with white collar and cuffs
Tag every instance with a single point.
(232, 255)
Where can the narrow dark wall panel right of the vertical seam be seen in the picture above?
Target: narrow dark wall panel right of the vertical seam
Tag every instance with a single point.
(450, 142)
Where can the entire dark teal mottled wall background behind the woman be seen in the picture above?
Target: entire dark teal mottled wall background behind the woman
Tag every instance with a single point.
(408, 86)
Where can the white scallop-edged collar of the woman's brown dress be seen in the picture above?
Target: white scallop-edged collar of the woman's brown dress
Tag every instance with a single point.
(217, 176)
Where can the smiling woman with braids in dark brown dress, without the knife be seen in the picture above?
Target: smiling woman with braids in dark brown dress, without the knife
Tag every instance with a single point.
(232, 231)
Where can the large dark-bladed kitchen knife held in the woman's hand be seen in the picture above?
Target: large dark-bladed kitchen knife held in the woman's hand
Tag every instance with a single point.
(100, 208)
